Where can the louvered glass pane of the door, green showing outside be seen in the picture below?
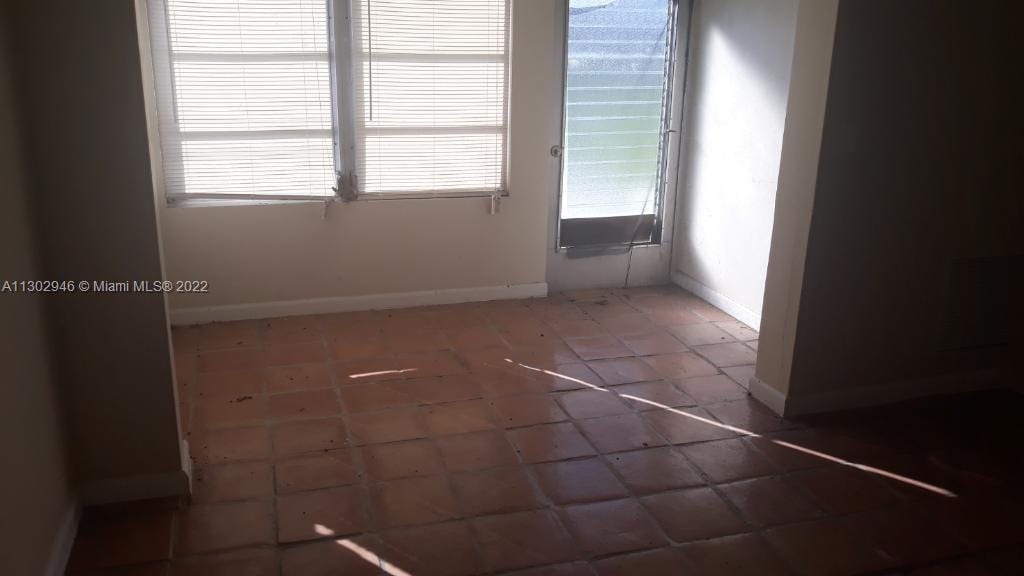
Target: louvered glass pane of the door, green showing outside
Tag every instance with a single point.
(618, 100)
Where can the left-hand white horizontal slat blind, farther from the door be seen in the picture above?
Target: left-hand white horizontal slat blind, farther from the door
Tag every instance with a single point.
(244, 94)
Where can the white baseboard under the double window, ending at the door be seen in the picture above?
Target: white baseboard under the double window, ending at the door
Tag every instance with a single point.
(188, 316)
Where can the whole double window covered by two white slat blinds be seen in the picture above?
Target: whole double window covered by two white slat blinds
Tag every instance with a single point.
(297, 99)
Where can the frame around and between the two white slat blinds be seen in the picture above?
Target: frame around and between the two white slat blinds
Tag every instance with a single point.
(343, 68)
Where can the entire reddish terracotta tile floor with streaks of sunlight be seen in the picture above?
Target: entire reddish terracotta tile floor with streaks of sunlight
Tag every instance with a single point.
(601, 433)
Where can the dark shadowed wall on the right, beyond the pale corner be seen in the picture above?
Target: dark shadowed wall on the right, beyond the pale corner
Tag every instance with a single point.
(915, 262)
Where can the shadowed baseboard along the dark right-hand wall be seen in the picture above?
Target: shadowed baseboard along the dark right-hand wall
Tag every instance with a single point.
(849, 399)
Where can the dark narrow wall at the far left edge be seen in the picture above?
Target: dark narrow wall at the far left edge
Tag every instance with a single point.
(35, 488)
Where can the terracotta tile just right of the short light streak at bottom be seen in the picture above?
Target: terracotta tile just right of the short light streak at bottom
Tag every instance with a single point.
(440, 550)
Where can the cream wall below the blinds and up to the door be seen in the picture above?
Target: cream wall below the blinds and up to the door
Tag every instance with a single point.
(272, 254)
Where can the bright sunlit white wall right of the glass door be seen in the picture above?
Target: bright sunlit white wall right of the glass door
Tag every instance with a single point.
(742, 53)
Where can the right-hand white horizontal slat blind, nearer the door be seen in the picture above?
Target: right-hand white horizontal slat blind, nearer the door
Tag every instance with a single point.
(431, 96)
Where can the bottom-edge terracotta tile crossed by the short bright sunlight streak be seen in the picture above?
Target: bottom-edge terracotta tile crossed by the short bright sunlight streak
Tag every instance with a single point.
(352, 557)
